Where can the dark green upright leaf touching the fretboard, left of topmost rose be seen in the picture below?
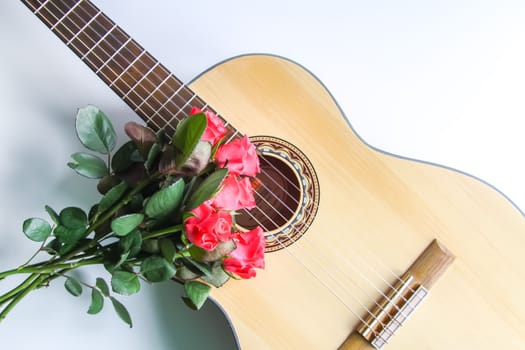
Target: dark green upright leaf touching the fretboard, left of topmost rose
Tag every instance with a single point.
(188, 134)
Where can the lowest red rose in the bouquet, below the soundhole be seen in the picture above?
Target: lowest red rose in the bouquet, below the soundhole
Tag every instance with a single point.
(248, 255)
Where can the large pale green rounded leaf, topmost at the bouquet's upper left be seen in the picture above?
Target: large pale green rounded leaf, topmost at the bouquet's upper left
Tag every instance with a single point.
(95, 130)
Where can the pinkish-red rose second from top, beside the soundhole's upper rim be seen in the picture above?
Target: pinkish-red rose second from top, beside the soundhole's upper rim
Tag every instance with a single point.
(239, 156)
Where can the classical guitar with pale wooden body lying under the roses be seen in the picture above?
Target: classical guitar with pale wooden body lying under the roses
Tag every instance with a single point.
(358, 241)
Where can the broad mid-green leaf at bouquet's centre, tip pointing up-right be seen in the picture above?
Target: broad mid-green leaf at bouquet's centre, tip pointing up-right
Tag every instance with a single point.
(165, 201)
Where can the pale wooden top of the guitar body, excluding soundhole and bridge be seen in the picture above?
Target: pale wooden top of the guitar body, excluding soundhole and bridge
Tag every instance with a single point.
(372, 206)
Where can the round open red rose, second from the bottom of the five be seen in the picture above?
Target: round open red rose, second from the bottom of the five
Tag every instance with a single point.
(208, 227)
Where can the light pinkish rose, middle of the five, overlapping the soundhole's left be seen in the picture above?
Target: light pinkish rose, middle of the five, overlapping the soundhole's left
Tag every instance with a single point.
(236, 193)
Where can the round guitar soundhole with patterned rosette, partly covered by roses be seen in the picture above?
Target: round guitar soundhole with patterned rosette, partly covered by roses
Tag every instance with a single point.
(286, 193)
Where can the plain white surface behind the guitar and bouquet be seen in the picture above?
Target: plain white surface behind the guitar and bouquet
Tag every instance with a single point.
(440, 81)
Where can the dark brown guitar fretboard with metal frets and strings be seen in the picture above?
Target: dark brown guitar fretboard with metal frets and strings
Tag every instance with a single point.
(154, 93)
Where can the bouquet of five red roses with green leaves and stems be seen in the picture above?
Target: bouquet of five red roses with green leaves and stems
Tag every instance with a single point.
(167, 211)
